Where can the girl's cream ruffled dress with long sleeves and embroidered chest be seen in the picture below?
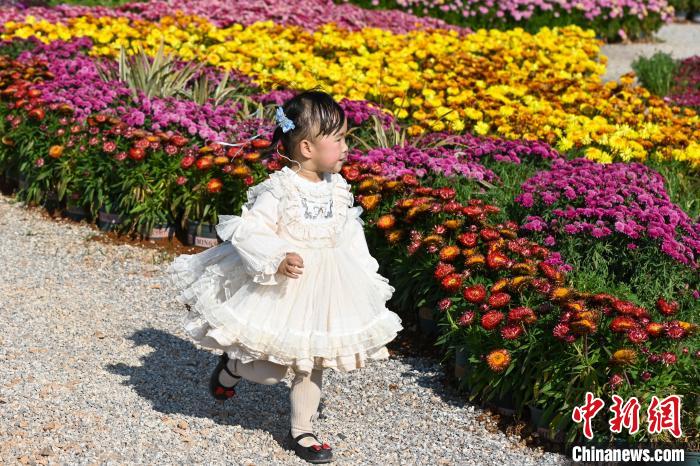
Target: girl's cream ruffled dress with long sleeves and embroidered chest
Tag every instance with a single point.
(332, 316)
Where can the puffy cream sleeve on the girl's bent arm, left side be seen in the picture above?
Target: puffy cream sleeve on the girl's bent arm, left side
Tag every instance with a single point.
(254, 235)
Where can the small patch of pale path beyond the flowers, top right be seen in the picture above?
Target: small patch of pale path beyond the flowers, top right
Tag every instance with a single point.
(680, 40)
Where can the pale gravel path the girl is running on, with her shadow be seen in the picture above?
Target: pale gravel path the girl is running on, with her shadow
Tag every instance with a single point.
(95, 370)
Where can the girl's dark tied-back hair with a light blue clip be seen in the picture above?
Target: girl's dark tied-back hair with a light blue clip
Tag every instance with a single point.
(315, 113)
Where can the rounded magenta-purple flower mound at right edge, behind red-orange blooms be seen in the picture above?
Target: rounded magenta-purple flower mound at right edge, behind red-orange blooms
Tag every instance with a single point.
(627, 199)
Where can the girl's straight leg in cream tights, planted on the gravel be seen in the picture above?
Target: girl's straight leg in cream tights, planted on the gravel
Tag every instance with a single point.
(305, 397)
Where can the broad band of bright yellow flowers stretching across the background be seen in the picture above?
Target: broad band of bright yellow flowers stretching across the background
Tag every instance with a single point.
(490, 82)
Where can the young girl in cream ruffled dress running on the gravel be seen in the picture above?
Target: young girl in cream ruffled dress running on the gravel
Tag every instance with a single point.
(293, 285)
